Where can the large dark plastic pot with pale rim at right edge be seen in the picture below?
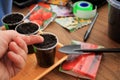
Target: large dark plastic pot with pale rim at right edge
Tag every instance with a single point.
(113, 20)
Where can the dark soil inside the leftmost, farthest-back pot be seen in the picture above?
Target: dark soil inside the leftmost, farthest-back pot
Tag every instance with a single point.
(13, 18)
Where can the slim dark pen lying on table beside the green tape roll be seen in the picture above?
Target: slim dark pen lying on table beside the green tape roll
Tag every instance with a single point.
(90, 28)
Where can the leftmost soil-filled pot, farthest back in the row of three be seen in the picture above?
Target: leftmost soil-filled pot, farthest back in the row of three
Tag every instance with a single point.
(11, 20)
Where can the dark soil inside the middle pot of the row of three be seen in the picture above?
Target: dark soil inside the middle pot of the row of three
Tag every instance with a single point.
(27, 28)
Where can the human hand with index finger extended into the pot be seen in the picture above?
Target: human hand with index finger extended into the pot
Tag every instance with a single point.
(13, 52)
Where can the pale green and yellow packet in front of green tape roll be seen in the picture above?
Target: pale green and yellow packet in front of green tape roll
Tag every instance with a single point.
(72, 23)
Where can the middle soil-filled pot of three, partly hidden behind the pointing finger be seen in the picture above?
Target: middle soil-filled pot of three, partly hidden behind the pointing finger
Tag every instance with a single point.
(28, 28)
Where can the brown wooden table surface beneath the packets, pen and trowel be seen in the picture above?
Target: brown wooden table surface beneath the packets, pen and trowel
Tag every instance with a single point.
(110, 65)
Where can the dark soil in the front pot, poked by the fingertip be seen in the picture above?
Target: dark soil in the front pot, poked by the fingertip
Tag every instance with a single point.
(49, 41)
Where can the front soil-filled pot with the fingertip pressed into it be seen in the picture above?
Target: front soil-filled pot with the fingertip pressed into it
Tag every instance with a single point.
(45, 51)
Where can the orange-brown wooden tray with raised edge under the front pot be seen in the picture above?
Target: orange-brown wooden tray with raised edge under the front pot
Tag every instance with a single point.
(32, 71)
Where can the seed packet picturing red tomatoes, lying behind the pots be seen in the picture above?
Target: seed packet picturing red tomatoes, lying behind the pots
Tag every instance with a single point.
(41, 16)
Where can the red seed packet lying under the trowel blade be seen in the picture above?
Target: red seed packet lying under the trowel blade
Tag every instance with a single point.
(83, 66)
